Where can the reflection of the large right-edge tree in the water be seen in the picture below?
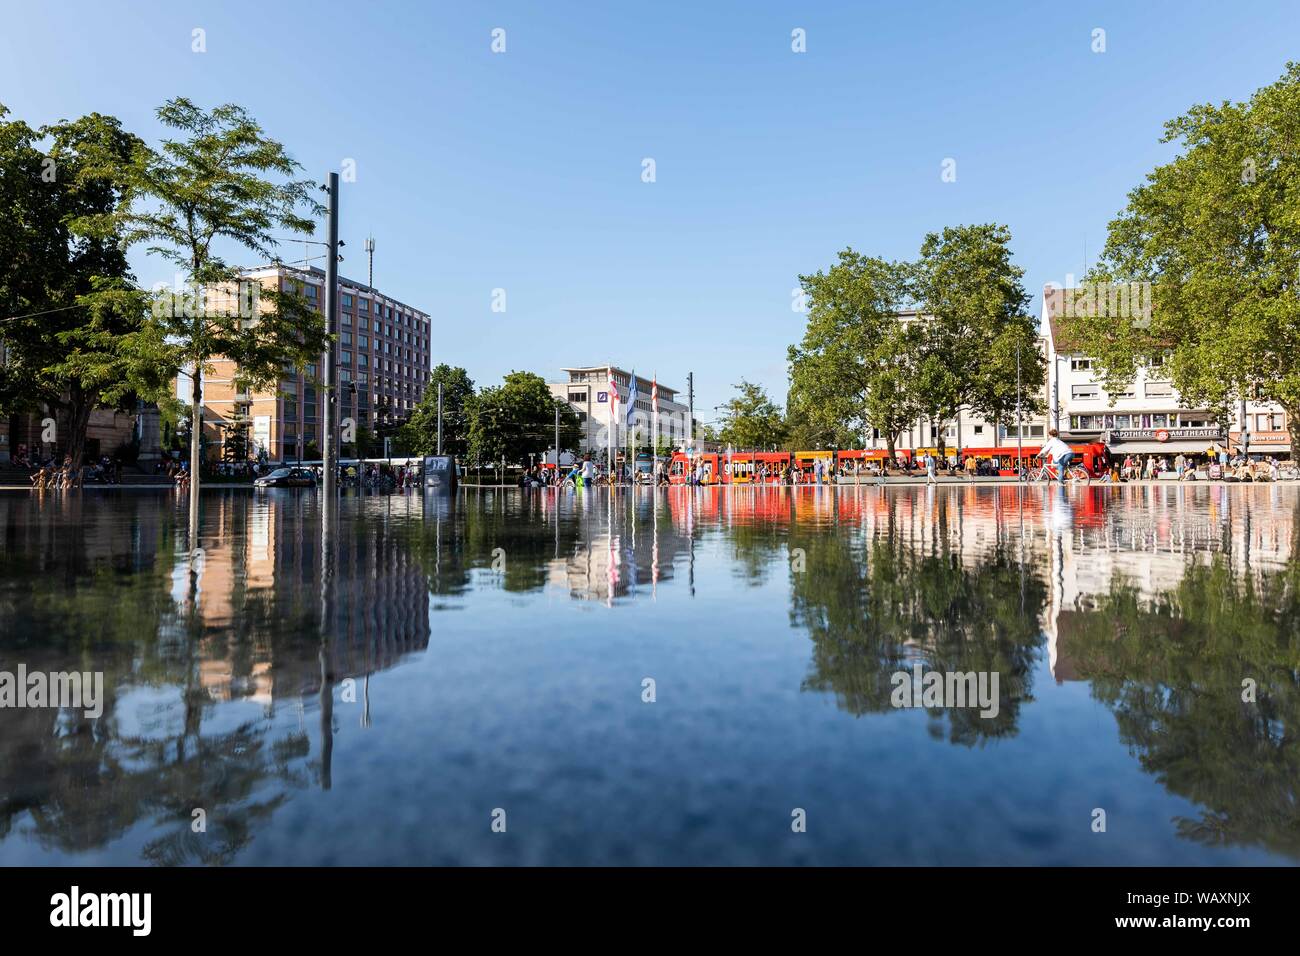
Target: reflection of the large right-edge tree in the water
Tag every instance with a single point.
(1171, 668)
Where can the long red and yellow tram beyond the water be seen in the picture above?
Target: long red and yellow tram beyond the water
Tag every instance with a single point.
(748, 468)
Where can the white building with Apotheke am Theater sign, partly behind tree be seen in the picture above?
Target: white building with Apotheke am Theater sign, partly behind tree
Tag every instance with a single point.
(1147, 417)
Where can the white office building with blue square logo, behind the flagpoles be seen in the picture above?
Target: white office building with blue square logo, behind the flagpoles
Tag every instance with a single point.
(588, 392)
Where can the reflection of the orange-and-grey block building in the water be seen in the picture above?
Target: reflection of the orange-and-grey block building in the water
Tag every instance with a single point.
(267, 617)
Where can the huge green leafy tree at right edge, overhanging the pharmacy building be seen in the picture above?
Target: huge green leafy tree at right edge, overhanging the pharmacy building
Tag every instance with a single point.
(1215, 233)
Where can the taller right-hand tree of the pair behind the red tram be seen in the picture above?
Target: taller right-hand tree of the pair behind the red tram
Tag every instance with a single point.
(969, 287)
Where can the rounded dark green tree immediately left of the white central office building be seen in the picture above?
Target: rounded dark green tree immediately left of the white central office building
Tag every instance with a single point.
(517, 419)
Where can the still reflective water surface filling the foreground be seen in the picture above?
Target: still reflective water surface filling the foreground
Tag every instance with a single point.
(447, 659)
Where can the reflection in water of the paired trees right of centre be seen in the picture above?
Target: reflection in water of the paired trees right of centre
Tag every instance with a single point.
(878, 612)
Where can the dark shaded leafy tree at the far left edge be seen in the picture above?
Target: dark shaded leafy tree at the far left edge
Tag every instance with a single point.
(66, 351)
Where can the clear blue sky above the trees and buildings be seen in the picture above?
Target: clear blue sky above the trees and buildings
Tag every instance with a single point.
(523, 171)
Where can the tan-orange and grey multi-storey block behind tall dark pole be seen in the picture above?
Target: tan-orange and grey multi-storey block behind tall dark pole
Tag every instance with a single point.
(383, 366)
